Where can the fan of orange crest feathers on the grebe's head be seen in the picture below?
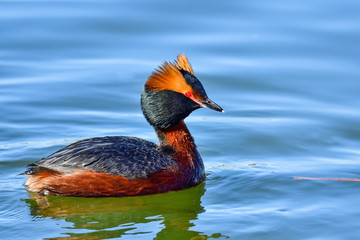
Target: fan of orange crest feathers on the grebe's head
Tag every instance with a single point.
(169, 77)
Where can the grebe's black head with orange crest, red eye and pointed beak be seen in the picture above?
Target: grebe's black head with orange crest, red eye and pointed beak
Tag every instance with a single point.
(172, 92)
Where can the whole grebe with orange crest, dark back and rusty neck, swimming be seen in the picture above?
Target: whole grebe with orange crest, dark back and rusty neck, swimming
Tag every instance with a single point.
(128, 166)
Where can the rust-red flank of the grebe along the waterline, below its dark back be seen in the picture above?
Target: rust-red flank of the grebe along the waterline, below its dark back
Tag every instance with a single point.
(88, 183)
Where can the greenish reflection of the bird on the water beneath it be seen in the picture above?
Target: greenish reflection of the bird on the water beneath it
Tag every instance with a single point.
(160, 216)
